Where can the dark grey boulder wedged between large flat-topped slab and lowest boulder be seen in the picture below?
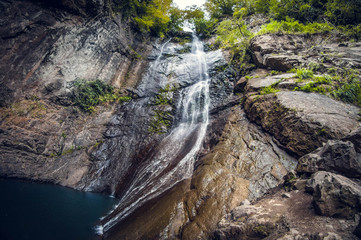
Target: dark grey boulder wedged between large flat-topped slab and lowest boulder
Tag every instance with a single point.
(335, 156)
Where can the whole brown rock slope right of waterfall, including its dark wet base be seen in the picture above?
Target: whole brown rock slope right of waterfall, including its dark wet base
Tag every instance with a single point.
(244, 163)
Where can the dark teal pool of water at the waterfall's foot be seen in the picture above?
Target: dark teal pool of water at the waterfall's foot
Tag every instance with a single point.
(43, 211)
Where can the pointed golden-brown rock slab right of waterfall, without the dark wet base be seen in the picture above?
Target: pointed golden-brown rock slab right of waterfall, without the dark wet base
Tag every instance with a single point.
(243, 158)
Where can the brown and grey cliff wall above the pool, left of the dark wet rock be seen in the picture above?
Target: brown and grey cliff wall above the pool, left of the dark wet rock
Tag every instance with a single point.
(45, 47)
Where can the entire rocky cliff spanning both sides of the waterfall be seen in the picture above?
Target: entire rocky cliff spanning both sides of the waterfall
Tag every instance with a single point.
(255, 139)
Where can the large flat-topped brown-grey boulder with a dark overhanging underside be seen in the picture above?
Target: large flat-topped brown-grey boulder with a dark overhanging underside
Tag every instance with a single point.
(302, 121)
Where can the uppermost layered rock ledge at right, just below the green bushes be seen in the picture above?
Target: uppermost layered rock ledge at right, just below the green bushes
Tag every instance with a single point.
(282, 52)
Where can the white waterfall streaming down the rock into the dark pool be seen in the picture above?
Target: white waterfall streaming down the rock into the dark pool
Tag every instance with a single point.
(173, 160)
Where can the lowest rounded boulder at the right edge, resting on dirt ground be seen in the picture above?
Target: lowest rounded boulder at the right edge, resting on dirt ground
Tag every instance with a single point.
(335, 195)
